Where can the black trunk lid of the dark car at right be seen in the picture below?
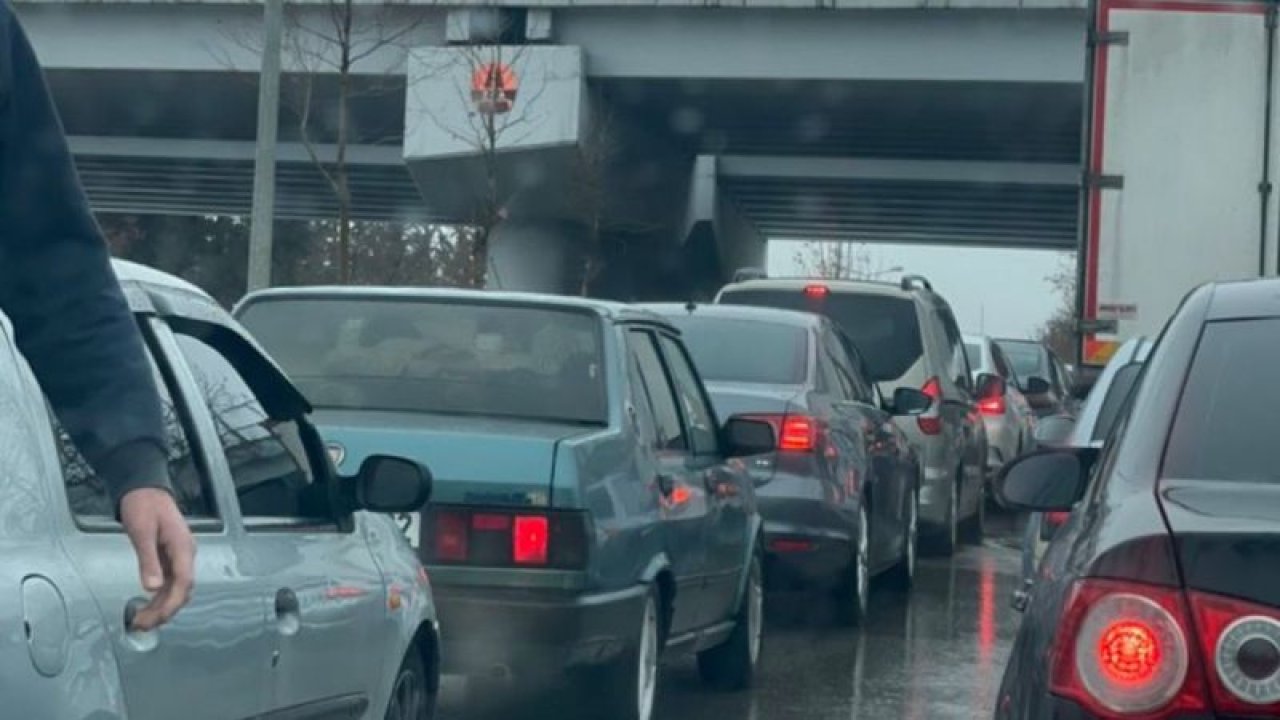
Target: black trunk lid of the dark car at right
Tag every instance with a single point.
(1227, 536)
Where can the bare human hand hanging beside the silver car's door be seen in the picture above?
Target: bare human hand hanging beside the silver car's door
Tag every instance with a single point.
(166, 550)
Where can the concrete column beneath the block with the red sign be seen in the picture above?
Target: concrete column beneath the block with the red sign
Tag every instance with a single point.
(537, 257)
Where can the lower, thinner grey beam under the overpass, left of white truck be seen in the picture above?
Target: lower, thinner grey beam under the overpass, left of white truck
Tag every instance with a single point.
(808, 168)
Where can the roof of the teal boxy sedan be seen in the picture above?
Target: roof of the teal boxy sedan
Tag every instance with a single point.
(611, 311)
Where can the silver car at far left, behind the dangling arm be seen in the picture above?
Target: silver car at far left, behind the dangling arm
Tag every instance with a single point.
(305, 604)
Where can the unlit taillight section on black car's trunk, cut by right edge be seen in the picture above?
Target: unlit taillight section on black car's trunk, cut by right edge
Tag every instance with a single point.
(1242, 645)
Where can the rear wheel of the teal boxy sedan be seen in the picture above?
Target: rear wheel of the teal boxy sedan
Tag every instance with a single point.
(632, 683)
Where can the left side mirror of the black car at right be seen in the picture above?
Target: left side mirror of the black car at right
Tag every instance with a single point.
(1052, 481)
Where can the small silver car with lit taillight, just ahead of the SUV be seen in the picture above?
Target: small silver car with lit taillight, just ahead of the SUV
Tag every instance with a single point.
(1009, 418)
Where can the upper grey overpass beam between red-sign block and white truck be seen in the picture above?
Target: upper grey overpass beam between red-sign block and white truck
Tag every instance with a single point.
(904, 45)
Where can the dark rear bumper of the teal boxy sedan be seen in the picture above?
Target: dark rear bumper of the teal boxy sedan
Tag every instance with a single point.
(520, 631)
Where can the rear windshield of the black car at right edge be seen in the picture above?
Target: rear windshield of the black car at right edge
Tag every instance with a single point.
(1226, 429)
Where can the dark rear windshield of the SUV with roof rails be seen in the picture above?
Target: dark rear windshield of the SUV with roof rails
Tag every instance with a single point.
(886, 330)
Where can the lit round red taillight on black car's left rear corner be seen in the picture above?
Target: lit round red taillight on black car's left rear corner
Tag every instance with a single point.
(1122, 650)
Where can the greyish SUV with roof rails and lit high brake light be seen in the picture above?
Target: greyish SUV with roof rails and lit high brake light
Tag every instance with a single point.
(909, 338)
